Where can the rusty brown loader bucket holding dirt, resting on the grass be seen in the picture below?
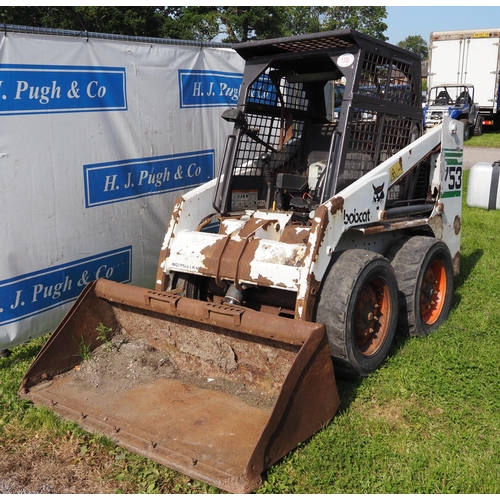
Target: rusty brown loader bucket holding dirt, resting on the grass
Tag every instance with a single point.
(216, 392)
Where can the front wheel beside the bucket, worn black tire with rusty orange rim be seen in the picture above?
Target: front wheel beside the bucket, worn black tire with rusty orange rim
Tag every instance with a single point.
(359, 294)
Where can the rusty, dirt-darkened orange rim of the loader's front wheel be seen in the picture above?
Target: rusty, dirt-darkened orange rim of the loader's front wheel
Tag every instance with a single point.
(372, 317)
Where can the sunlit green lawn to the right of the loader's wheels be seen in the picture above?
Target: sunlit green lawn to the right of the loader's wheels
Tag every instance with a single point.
(428, 421)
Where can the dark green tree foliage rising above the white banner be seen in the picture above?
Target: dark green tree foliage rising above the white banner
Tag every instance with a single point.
(202, 23)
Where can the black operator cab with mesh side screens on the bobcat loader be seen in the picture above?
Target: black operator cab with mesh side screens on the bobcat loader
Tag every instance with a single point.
(308, 125)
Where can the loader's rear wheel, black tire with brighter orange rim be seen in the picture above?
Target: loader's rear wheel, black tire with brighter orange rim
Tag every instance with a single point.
(418, 263)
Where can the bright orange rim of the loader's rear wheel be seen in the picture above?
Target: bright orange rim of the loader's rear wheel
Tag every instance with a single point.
(433, 292)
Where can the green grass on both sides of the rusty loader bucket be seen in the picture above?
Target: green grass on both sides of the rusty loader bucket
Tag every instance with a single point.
(428, 421)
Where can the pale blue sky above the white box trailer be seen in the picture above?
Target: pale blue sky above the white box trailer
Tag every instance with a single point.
(422, 20)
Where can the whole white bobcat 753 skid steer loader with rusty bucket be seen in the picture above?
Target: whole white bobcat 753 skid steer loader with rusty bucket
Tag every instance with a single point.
(327, 230)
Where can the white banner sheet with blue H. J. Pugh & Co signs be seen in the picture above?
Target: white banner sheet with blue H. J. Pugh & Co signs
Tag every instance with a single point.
(97, 139)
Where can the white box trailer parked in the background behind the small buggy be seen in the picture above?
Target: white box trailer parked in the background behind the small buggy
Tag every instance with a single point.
(472, 57)
